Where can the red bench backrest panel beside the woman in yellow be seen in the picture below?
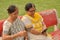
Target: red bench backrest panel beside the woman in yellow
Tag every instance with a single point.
(49, 17)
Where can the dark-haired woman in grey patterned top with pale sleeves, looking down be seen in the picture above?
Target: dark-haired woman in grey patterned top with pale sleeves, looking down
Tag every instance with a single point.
(13, 28)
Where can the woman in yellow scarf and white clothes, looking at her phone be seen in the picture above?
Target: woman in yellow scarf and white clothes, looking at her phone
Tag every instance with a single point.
(34, 23)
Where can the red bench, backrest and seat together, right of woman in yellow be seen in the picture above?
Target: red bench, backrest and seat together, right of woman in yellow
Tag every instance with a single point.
(51, 19)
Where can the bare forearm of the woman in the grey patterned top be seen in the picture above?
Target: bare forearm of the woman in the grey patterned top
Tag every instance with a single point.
(11, 37)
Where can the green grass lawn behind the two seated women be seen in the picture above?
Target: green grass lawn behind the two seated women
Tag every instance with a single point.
(40, 6)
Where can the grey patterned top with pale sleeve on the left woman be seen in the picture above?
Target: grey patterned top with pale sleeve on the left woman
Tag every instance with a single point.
(13, 28)
